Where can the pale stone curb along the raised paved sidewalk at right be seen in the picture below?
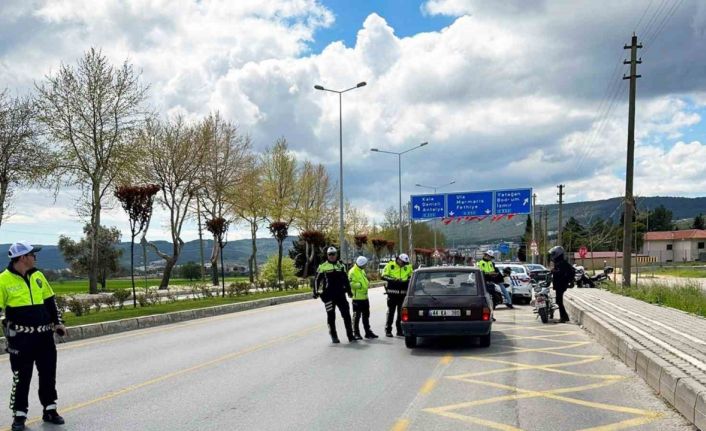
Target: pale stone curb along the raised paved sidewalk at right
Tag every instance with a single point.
(674, 385)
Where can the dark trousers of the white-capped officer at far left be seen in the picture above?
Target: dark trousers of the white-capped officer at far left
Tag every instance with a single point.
(26, 350)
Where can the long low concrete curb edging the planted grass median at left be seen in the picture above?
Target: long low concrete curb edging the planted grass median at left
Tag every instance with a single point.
(92, 330)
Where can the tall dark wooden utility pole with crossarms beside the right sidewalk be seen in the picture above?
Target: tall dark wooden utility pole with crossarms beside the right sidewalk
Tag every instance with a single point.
(629, 200)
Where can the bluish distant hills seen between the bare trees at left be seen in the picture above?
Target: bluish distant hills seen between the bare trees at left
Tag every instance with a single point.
(235, 251)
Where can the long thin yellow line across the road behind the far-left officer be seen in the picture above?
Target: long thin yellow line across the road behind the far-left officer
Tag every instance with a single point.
(181, 372)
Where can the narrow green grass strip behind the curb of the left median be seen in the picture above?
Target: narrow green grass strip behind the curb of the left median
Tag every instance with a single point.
(187, 304)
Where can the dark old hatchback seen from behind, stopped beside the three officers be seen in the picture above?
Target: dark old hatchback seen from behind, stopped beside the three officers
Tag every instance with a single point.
(447, 301)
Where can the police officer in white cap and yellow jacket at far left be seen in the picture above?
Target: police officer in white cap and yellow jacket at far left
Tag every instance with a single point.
(31, 317)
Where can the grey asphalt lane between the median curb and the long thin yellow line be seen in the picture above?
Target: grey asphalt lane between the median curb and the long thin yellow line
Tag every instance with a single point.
(89, 368)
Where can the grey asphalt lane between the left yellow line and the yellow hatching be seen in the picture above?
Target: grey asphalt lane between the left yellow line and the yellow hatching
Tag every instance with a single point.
(302, 383)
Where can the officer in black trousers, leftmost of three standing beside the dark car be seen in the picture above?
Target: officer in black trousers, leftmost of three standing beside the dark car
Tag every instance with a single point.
(332, 285)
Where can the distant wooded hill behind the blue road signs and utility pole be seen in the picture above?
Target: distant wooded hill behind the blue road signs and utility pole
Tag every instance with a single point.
(464, 233)
